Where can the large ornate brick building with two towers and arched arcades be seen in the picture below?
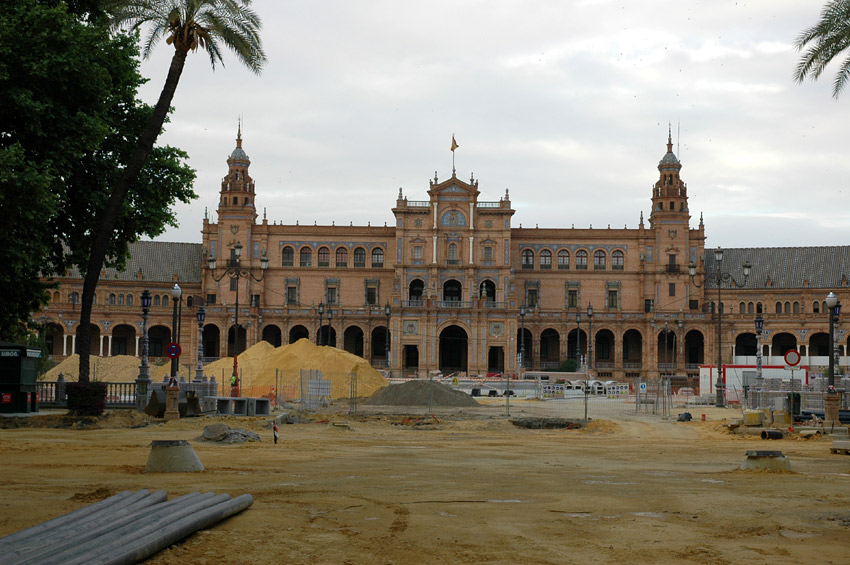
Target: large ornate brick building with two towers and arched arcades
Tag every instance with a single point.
(453, 286)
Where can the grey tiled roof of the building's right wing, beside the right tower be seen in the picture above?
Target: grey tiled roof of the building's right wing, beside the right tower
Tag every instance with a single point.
(784, 267)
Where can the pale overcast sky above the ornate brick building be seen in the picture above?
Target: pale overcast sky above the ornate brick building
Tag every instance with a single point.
(566, 104)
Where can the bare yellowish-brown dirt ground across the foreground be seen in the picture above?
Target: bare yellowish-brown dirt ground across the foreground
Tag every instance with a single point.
(458, 488)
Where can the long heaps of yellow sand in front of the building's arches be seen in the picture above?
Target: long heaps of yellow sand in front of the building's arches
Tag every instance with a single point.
(258, 366)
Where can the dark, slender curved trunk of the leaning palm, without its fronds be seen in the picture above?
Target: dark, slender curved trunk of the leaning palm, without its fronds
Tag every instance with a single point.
(110, 214)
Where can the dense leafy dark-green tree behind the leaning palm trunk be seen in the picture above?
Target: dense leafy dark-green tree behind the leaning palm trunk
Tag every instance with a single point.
(67, 106)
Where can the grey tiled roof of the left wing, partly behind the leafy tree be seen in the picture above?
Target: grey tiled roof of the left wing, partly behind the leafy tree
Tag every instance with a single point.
(158, 261)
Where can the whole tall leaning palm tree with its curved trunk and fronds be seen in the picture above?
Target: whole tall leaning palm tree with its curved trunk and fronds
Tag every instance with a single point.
(187, 25)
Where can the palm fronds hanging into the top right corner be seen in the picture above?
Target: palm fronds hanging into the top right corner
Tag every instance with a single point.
(829, 38)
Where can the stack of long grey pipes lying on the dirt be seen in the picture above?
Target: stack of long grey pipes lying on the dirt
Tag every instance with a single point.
(125, 528)
